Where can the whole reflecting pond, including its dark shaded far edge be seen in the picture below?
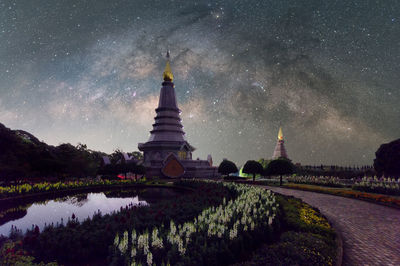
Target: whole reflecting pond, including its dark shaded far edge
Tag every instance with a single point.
(81, 205)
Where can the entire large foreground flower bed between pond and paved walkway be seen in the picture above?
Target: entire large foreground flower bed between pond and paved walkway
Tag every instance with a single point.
(217, 224)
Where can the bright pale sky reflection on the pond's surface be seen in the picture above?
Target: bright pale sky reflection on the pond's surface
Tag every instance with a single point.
(53, 211)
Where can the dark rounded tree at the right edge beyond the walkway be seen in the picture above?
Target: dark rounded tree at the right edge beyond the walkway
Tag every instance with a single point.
(387, 161)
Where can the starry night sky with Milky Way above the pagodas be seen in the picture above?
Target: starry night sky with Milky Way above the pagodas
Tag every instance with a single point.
(90, 71)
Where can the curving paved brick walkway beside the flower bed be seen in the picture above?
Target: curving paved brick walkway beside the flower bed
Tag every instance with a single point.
(370, 232)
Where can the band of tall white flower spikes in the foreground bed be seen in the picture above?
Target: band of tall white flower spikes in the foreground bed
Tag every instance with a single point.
(217, 236)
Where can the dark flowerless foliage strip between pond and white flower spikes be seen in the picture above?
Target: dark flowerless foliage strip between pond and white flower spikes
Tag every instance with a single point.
(74, 241)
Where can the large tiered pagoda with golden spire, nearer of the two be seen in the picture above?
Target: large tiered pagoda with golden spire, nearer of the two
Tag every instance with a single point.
(167, 153)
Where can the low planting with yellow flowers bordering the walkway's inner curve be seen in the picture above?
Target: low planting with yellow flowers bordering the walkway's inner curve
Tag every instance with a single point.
(308, 238)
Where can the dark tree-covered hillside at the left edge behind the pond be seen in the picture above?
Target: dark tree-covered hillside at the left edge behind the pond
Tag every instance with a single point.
(23, 155)
